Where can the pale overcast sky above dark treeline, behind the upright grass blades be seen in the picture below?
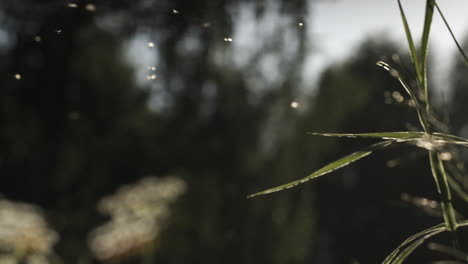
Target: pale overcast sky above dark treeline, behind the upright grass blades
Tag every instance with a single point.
(341, 24)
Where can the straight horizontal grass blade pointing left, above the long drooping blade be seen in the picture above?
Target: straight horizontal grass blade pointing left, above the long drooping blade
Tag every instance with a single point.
(398, 136)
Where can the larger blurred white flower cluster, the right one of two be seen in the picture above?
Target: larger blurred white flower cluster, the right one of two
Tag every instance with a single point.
(137, 213)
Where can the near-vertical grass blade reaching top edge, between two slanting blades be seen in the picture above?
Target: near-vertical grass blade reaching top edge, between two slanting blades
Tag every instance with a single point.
(424, 48)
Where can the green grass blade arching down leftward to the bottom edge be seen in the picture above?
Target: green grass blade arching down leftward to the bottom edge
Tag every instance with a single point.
(395, 255)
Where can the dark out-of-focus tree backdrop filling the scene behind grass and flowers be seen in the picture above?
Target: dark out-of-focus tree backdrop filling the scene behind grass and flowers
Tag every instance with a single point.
(76, 126)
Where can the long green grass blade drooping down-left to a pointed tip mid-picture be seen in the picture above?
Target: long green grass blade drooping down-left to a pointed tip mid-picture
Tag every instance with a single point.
(340, 163)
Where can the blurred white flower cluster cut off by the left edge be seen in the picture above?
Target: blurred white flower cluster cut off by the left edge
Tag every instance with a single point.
(24, 232)
